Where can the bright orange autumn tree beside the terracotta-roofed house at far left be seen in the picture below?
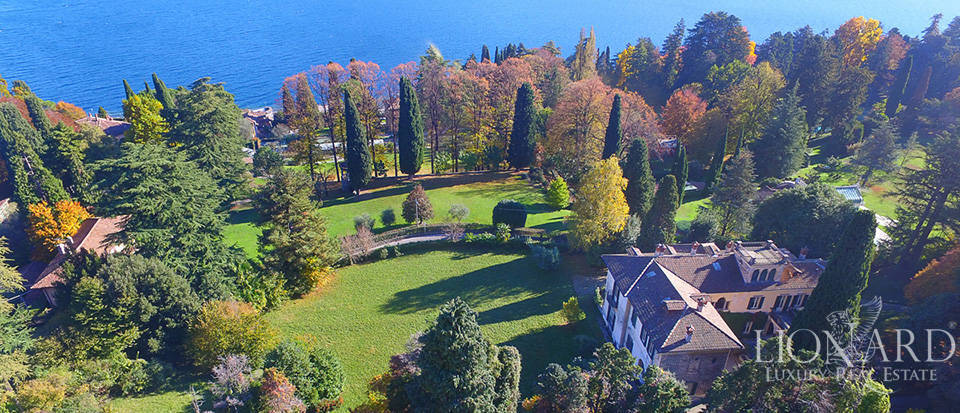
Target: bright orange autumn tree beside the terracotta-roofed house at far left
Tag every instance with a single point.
(50, 226)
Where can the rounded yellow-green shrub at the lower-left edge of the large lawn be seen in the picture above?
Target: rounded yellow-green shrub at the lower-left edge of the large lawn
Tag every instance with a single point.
(228, 327)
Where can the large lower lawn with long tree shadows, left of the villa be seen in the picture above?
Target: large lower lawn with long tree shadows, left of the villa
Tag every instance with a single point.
(369, 311)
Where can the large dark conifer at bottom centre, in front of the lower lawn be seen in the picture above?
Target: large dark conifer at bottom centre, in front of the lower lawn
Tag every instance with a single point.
(455, 366)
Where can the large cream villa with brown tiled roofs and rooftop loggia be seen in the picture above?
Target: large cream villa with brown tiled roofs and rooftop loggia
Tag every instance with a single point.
(666, 307)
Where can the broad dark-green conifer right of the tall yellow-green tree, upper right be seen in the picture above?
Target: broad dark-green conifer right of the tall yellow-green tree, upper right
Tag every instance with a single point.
(779, 151)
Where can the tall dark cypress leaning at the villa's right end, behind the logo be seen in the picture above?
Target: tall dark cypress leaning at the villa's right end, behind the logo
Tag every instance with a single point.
(842, 281)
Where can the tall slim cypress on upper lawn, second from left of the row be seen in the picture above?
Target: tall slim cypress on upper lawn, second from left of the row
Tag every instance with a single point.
(410, 129)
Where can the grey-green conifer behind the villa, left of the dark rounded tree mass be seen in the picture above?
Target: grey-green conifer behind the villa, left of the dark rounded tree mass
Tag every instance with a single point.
(733, 198)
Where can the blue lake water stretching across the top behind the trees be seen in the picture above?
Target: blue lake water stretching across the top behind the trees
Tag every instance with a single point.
(79, 50)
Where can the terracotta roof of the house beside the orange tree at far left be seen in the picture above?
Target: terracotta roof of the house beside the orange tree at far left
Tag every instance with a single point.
(92, 236)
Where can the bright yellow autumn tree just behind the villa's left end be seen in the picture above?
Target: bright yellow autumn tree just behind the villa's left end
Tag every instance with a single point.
(600, 209)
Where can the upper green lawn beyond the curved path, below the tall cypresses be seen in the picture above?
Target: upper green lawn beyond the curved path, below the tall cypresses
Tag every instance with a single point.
(480, 197)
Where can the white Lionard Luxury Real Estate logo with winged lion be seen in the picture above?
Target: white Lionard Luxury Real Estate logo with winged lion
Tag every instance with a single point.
(851, 344)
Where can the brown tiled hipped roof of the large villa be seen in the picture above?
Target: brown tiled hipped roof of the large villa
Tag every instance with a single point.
(669, 288)
